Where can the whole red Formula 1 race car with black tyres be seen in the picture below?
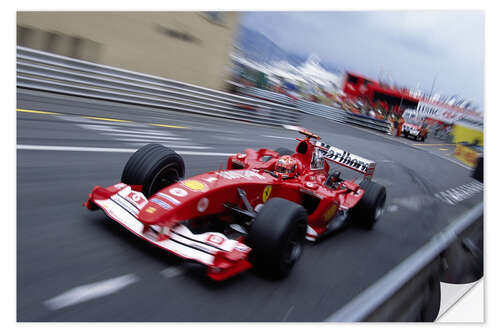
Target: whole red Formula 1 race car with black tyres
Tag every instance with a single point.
(257, 212)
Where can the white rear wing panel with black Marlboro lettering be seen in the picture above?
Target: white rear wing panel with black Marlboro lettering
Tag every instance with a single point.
(346, 159)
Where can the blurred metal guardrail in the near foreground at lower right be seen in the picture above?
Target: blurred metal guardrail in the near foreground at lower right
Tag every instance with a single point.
(411, 291)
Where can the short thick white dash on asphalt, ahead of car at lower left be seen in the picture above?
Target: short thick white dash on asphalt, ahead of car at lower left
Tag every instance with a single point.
(90, 291)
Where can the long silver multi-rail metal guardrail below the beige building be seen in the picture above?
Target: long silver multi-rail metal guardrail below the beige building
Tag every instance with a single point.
(54, 73)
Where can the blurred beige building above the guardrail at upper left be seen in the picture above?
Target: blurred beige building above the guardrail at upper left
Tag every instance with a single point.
(192, 47)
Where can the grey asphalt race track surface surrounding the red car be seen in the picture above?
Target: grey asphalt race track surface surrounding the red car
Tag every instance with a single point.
(62, 246)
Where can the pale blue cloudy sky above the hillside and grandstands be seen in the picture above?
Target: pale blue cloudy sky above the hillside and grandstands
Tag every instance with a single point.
(414, 47)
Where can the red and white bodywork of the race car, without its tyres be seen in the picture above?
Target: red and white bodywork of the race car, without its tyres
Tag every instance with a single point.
(160, 218)
